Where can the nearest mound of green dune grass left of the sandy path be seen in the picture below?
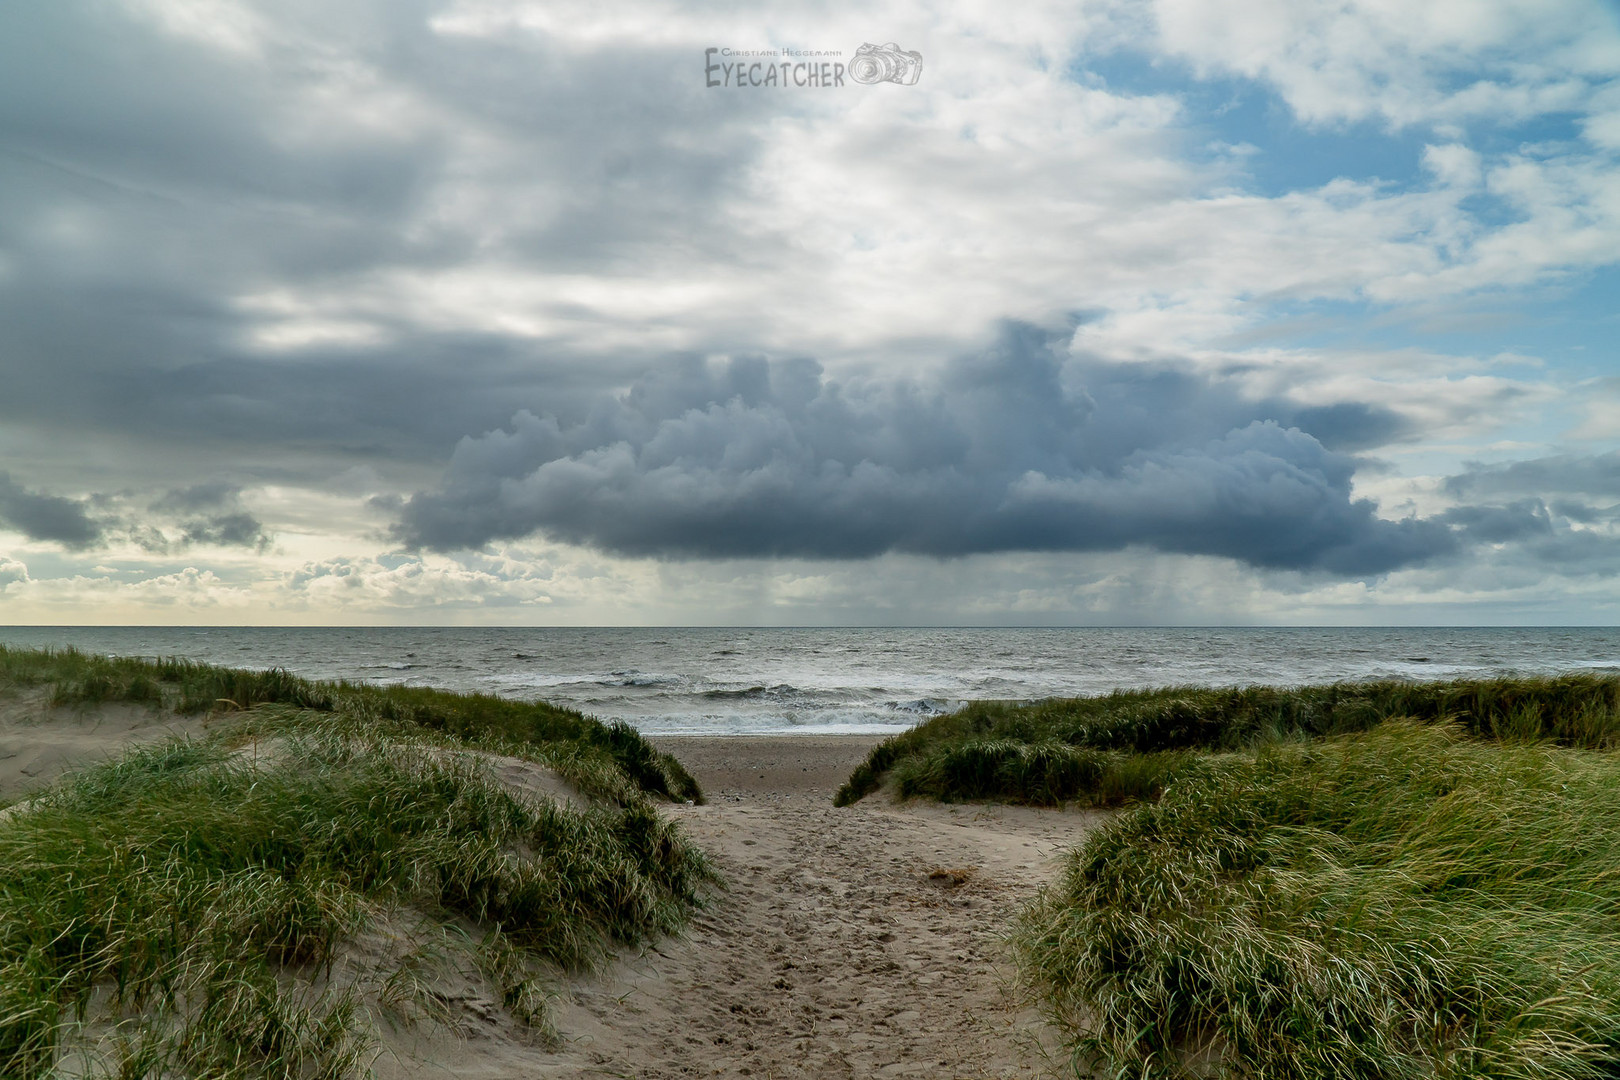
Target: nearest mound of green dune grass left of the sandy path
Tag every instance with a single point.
(195, 898)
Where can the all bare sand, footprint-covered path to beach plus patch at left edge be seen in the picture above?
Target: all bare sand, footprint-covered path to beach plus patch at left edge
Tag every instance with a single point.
(850, 943)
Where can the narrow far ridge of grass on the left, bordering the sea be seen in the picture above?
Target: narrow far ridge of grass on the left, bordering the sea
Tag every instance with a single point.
(189, 687)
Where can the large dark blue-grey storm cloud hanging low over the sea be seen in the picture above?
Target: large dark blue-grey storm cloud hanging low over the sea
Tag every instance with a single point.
(1012, 451)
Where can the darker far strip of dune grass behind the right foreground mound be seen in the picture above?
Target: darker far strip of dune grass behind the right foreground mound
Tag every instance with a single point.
(1128, 746)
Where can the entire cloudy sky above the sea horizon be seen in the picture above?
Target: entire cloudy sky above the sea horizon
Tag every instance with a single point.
(501, 312)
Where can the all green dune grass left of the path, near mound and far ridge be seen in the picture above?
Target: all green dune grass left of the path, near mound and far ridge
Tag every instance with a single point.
(189, 909)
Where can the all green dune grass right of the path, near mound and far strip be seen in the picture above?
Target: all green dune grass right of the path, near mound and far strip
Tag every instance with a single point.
(1365, 880)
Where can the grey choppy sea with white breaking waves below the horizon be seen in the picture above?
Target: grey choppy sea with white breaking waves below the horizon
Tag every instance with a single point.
(819, 681)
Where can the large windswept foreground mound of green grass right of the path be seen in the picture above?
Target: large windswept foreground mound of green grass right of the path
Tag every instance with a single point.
(1405, 903)
